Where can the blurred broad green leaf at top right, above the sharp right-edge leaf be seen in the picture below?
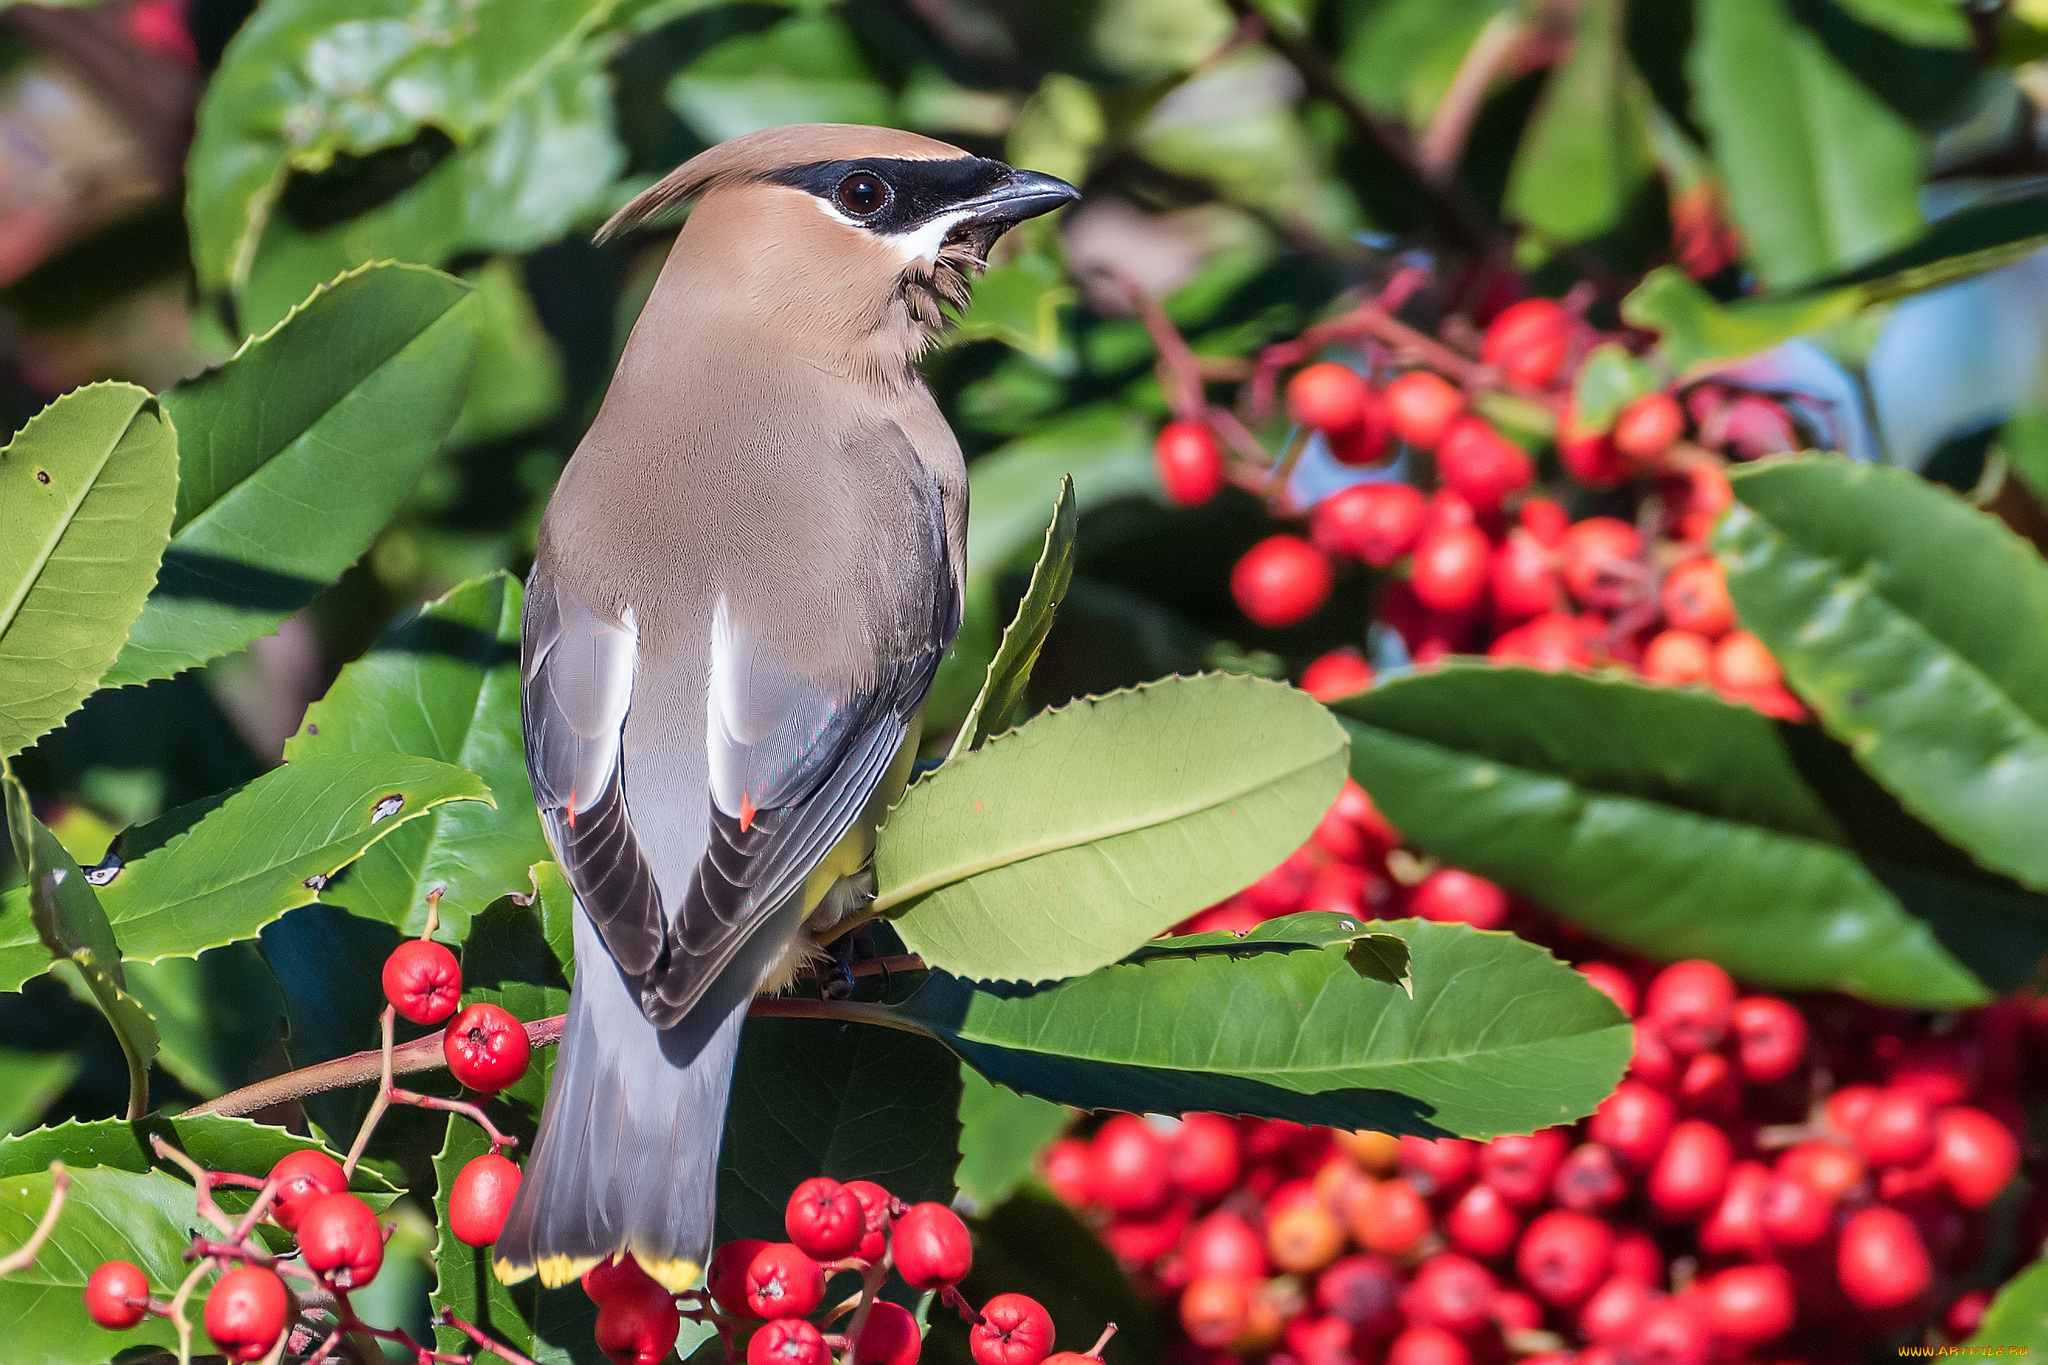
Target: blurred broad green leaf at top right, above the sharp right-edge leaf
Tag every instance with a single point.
(1822, 175)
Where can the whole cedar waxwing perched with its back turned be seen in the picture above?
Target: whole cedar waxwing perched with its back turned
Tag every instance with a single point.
(742, 588)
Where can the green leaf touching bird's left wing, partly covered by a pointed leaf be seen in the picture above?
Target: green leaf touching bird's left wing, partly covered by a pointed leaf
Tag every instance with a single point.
(443, 687)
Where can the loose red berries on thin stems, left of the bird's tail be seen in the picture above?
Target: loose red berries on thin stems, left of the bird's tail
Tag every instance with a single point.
(341, 1241)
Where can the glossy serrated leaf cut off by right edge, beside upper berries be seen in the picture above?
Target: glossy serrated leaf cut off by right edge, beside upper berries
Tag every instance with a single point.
(1918, 631)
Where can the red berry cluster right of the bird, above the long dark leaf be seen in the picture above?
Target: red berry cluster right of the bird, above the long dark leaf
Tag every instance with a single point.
(1486, 564)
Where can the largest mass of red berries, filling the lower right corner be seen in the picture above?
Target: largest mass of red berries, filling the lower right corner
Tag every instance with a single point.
(1773, 1182)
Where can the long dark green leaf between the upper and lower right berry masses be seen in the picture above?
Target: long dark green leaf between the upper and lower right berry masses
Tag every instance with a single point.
(1687, 828)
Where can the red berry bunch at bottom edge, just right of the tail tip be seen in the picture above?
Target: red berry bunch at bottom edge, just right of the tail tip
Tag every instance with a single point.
(763, 1296)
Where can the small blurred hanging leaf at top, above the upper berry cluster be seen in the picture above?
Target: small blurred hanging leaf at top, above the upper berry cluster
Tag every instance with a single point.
(1586, 152)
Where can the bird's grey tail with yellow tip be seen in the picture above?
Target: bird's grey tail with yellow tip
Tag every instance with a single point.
(628, 1157)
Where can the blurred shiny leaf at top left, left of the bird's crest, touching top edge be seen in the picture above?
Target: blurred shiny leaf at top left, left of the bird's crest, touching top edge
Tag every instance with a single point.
(308, 81)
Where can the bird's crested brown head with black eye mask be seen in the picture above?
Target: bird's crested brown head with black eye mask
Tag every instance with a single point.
(843, 234)
